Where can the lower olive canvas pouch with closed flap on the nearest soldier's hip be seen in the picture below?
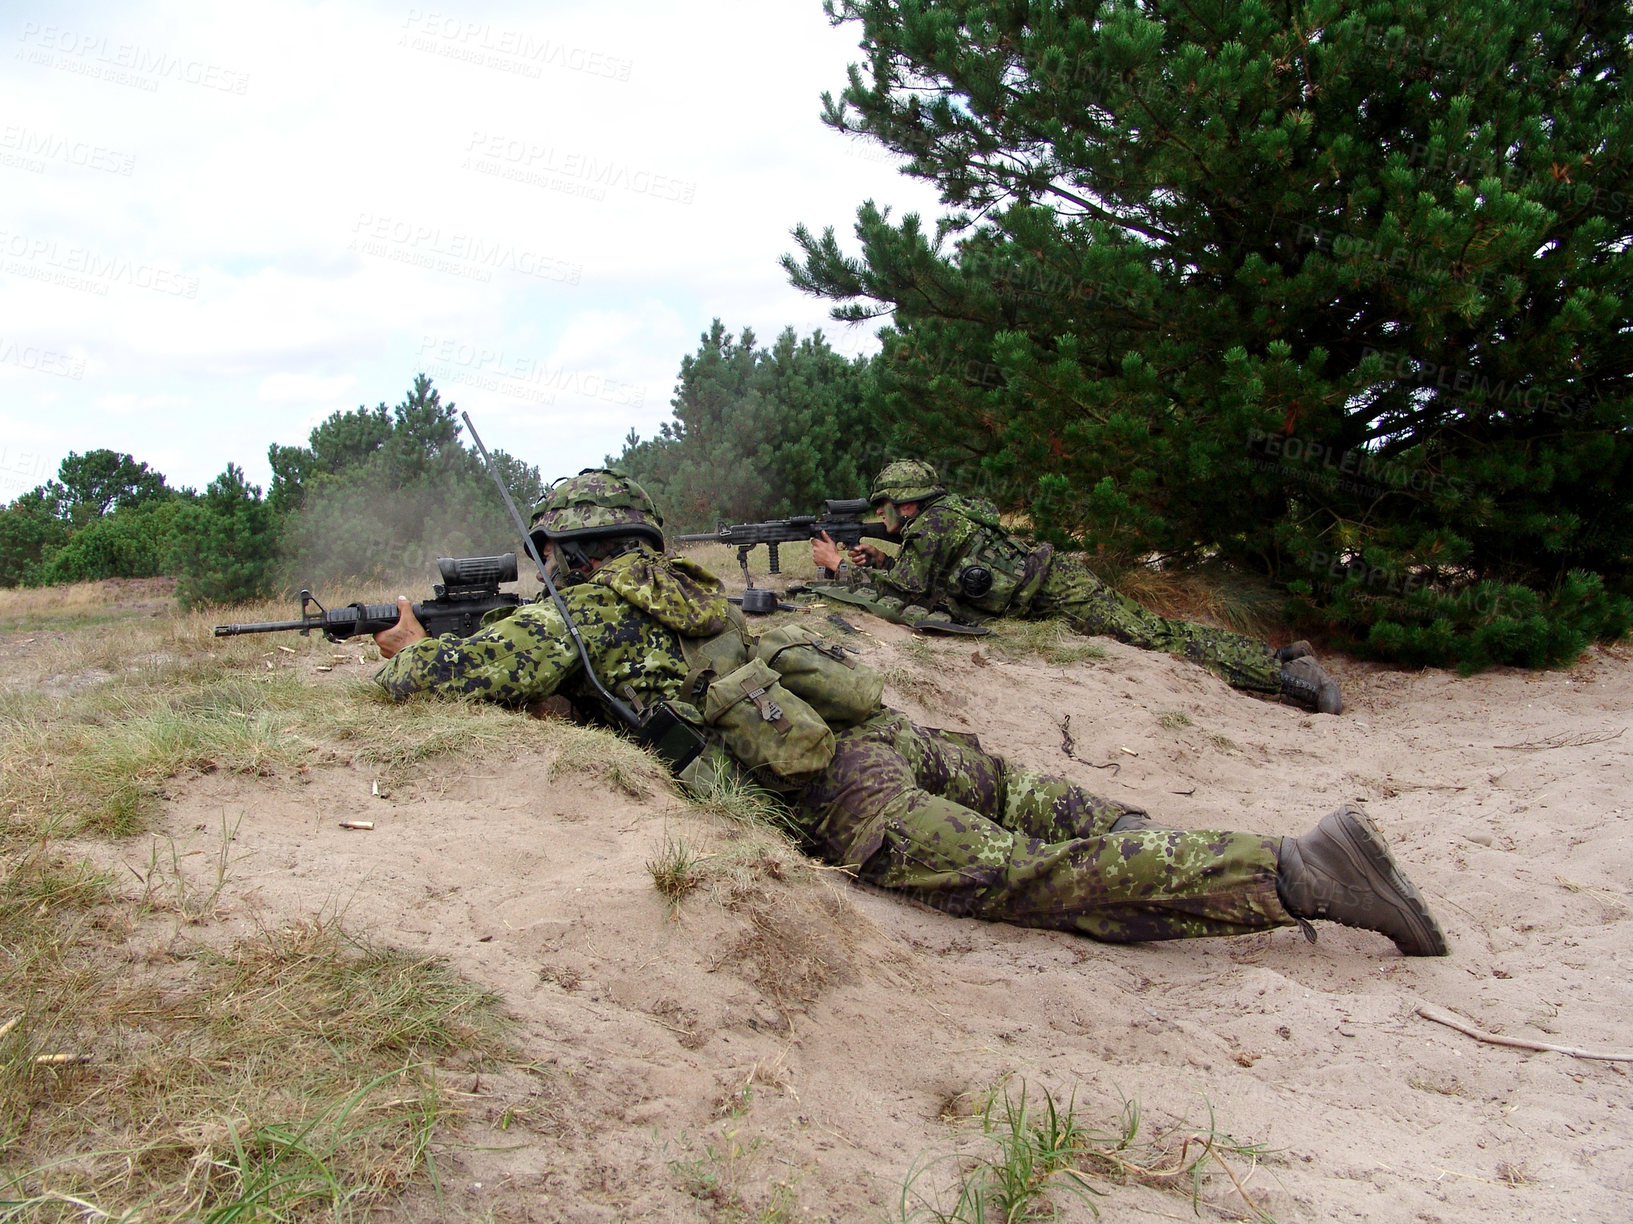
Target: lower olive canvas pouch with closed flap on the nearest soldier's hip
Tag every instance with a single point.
(775, 735)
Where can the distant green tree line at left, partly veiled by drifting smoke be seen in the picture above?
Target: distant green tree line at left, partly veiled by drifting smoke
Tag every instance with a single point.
(373, 492)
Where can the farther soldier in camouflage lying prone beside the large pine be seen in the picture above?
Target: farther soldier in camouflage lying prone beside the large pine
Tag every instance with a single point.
(958, 557)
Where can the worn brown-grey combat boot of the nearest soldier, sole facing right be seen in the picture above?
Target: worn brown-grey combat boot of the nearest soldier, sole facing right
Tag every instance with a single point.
(1343, 872)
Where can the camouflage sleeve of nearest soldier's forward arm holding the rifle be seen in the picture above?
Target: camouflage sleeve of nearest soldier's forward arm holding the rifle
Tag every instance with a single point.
(515, 660)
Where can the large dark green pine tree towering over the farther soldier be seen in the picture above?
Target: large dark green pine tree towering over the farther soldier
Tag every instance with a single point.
(1340, 291)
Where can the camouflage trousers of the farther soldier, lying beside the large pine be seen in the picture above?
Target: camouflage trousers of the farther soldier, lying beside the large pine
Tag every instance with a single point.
(1093, 608)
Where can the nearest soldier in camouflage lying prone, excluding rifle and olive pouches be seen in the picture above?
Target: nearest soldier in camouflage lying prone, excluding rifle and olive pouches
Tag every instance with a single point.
(909, 809)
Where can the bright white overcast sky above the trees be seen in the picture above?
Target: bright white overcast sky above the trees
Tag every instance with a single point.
(223, 223)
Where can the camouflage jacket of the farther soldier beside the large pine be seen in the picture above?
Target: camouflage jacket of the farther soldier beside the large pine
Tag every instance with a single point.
(958, 557)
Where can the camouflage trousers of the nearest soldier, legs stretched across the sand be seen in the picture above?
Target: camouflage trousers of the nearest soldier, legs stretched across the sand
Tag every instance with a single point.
(932, 815)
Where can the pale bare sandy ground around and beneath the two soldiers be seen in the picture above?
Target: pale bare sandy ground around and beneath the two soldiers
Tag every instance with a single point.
(803, 1044)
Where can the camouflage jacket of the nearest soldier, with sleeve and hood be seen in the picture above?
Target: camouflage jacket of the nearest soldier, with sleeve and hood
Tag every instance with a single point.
(631, 614)
